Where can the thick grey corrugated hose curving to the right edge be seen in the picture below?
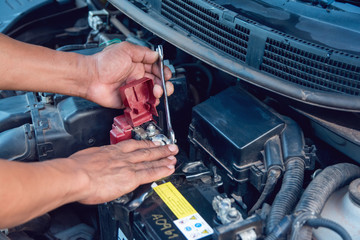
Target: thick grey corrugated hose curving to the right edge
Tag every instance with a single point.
(319, 190)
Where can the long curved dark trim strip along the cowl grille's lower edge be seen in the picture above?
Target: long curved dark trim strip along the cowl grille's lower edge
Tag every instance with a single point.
(154, 23)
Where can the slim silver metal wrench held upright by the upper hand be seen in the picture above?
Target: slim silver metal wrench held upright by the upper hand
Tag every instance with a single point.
(170, 131)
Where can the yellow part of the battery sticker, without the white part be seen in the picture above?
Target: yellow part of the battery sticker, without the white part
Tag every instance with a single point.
(174, 200)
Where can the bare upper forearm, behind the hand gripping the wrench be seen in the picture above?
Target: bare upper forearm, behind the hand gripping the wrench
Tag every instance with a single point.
(34, 68)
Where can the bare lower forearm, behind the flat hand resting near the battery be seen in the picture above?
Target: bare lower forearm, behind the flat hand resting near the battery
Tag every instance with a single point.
(28, 190)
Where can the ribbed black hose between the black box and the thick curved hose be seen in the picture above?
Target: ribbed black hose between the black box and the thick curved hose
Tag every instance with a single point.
(289, 193)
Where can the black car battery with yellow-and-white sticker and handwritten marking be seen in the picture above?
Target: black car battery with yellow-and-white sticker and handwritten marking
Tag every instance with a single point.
(172, 208)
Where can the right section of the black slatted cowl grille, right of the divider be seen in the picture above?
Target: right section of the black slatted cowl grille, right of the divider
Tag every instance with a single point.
(310, 70)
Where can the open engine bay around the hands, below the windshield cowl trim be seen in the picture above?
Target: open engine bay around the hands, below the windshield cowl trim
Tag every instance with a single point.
(253, 164)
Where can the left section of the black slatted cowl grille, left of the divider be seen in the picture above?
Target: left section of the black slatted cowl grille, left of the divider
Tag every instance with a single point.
(205, 25)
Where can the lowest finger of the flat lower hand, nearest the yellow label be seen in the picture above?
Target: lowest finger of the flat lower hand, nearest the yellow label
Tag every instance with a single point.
(152, 174)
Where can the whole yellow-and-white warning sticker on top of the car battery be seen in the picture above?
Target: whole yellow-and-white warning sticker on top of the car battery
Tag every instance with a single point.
(189, 222)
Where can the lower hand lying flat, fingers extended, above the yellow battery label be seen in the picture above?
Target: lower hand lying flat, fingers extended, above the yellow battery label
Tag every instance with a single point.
(115, 170)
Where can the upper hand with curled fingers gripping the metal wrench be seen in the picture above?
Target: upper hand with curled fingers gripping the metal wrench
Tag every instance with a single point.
(119, 64)
